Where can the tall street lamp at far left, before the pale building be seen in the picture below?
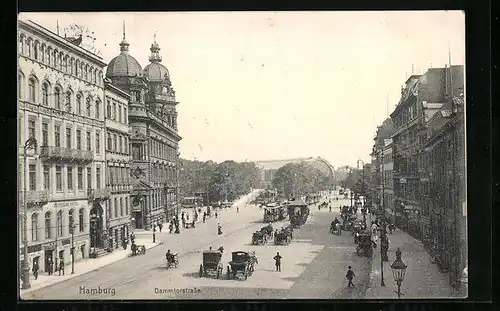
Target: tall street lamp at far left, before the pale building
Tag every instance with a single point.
(30, 144)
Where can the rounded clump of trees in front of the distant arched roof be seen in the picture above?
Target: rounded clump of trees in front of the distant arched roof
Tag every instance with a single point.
(297, 179)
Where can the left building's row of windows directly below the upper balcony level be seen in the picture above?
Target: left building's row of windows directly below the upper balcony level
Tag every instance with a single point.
(67, 177)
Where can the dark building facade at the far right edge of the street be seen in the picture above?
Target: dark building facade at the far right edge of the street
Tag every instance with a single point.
(445, 180)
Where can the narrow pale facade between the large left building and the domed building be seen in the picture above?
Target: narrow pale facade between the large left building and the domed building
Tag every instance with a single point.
(117, 165)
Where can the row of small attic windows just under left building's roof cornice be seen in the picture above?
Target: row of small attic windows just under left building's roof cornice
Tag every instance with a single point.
(59, 60)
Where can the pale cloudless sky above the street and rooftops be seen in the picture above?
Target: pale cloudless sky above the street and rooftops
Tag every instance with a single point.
(280, 85)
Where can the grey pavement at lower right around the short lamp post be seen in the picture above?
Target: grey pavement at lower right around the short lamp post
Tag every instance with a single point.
(423, 280)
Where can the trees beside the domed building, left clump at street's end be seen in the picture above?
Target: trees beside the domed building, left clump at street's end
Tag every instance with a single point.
(223, 181)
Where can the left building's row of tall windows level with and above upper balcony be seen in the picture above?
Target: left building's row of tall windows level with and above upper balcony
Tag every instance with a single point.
(74, 137)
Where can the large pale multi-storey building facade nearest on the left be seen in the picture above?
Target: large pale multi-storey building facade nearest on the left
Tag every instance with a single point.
(60, 95)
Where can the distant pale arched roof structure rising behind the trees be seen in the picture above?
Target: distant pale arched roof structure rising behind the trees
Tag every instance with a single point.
(270, 167)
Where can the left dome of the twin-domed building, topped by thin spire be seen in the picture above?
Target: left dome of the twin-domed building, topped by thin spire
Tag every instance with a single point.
(125, 72)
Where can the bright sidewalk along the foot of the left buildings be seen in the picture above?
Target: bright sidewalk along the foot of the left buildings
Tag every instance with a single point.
(84, 266)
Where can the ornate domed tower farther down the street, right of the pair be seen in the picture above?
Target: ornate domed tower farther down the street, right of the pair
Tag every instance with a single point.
(161, 94)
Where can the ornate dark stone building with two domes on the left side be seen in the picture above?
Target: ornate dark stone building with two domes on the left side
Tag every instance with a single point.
(153, 135)
